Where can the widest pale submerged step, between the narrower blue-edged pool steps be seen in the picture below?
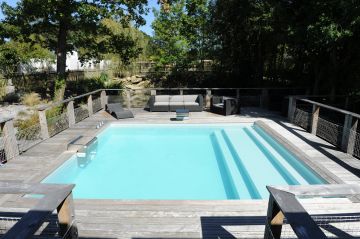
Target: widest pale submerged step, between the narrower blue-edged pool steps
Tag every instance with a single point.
(260, 170)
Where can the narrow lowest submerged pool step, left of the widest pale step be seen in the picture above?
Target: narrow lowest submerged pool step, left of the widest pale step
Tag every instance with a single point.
(240, 186)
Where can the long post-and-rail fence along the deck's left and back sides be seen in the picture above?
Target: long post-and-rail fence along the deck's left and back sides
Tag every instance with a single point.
(59, 116)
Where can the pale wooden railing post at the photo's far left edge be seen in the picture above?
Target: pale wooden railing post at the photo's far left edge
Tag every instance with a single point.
(10, 144)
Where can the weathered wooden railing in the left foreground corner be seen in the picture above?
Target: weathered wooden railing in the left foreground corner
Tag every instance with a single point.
(40, 221)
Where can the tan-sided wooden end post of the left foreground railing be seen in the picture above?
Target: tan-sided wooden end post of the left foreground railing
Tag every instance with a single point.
(66, 217)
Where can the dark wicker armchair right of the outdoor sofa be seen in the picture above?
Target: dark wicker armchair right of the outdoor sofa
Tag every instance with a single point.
(224, 105)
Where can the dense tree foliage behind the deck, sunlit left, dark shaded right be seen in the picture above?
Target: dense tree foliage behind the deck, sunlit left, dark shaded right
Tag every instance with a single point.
(311, 44)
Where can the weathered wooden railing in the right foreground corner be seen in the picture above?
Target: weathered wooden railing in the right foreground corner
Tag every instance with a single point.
(287, 218)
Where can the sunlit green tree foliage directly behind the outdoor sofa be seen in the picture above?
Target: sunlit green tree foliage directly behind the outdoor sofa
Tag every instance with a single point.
(180, 33)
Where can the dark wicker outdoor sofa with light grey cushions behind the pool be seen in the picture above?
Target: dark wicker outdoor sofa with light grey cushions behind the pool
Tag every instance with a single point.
(164, 103)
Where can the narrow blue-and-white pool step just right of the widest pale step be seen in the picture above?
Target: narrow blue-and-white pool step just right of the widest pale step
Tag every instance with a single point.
(291, 176)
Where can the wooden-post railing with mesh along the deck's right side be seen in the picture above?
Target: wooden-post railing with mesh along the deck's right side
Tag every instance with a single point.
(337, 126)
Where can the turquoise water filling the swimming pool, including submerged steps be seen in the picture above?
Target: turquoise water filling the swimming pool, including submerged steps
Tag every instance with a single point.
(195, 162)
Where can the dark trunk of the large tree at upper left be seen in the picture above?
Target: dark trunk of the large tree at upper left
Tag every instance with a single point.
(61, 50)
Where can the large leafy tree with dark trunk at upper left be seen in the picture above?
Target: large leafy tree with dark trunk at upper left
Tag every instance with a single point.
(66, 25)
